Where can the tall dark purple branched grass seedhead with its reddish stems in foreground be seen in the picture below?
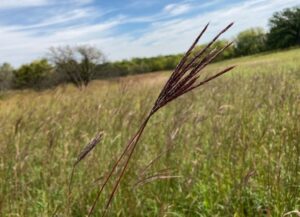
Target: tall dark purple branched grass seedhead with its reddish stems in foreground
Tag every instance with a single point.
(184, 78)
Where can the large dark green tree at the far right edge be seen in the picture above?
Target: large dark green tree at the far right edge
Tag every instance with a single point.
(284, 29)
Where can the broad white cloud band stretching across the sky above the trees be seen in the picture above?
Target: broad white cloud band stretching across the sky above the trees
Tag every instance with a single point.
(164, 36)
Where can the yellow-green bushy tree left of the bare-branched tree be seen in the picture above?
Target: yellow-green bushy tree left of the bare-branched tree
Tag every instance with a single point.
(32, 75)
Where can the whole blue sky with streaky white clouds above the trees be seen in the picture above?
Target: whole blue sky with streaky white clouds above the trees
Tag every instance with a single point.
(122, 29)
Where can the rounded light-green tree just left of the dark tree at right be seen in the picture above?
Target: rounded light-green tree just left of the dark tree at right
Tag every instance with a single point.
(250, 41)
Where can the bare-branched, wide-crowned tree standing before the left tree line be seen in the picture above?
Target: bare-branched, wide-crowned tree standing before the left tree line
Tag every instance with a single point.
(77, 63)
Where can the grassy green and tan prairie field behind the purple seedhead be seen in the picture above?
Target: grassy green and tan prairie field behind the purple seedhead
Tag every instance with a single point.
(230, 148)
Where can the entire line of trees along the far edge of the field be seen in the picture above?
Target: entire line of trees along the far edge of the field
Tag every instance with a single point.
(80, 64)
